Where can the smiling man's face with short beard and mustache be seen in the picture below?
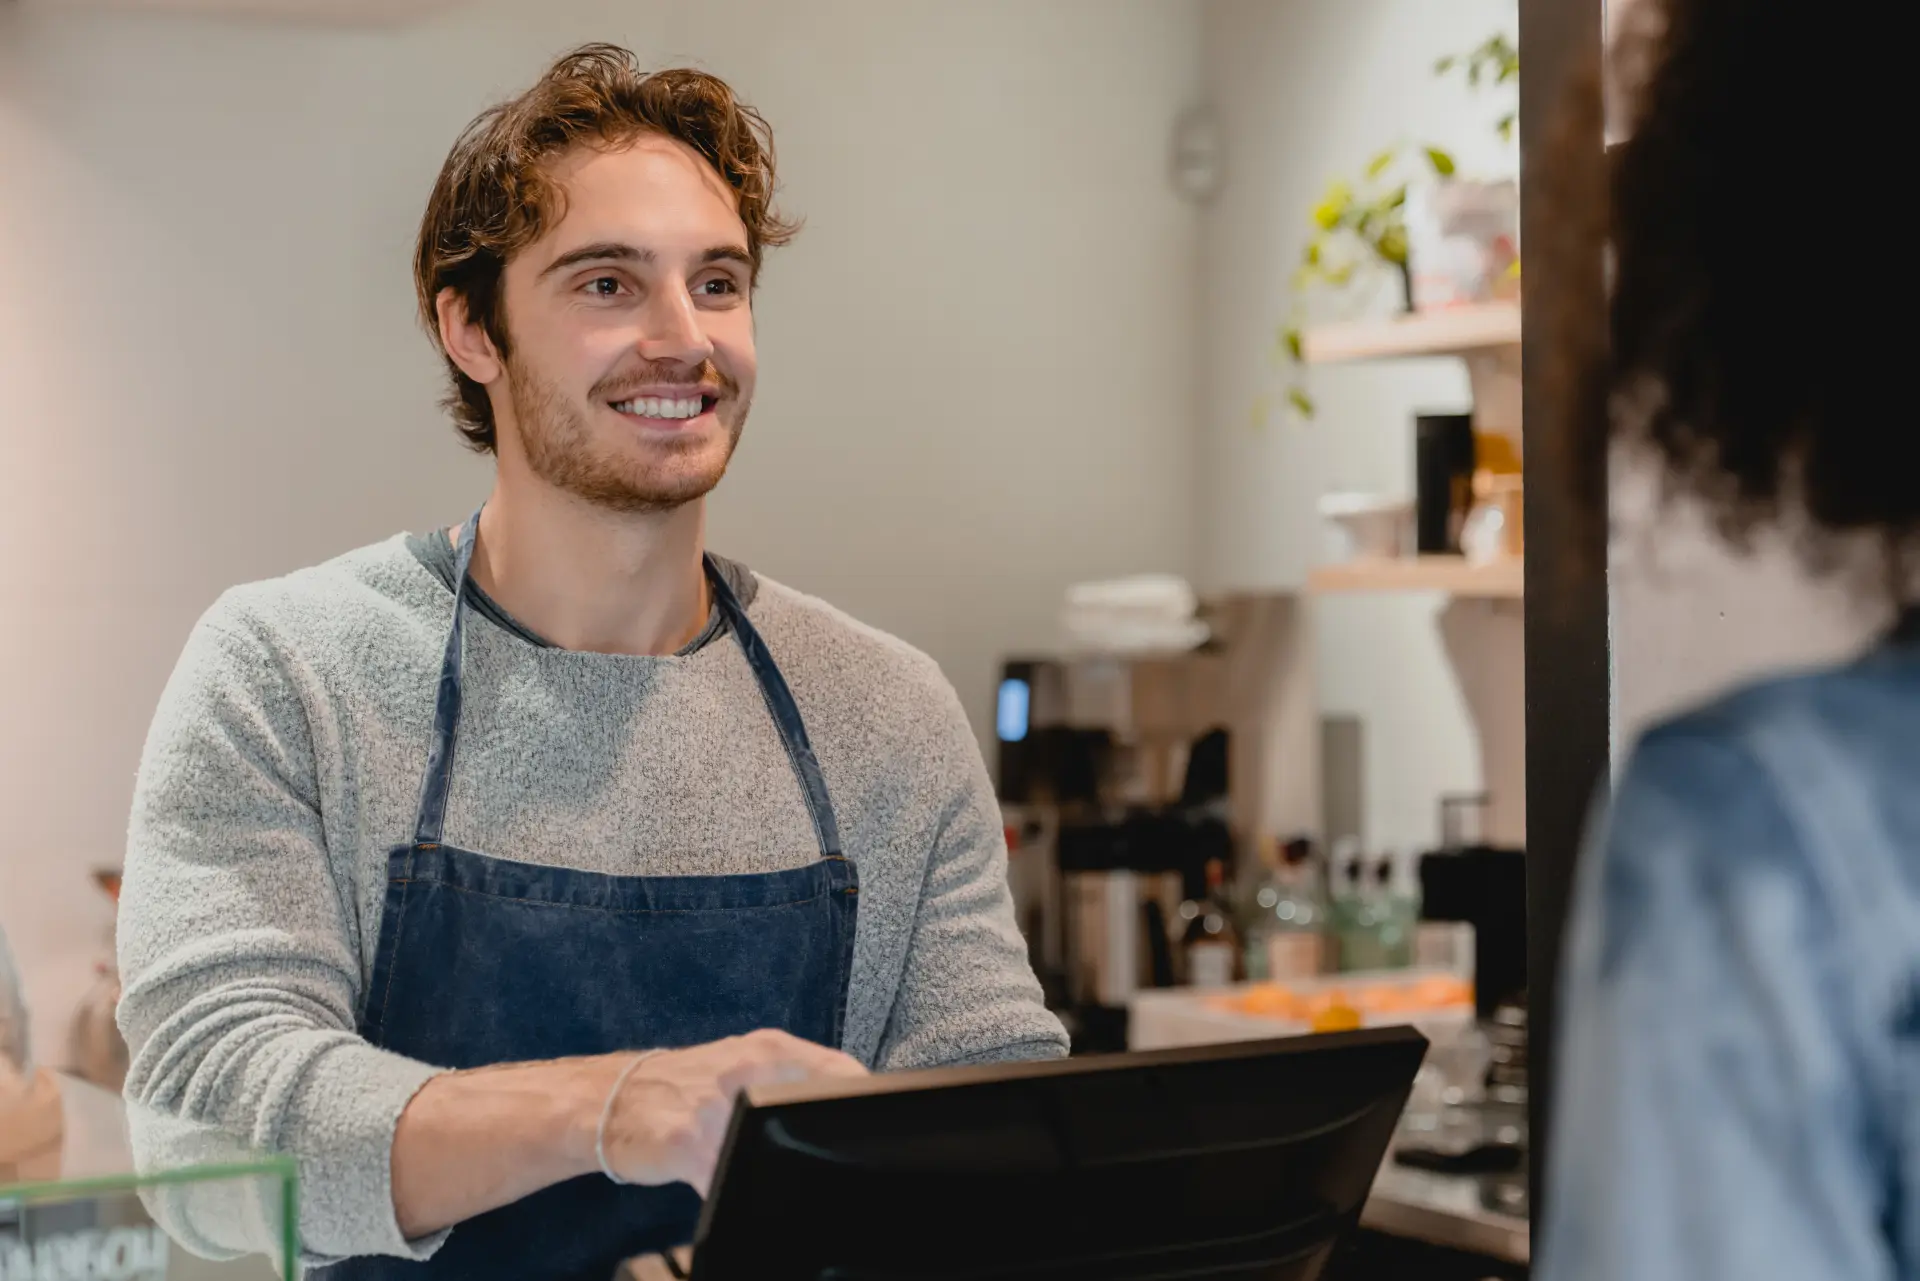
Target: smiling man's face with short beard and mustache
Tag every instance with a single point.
(631, 331)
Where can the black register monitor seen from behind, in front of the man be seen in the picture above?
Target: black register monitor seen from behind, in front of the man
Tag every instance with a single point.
(1228, 1163)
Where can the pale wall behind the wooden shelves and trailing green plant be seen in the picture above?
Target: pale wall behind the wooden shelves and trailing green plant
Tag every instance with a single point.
(1310, 91)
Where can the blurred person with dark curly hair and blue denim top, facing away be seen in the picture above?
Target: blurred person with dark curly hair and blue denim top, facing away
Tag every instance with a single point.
(1740, 1059)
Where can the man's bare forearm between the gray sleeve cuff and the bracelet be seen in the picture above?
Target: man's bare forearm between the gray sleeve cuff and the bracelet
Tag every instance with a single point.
(473, 1142)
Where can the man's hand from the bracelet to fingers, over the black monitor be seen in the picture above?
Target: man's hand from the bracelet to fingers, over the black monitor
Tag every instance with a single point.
(673, 1111)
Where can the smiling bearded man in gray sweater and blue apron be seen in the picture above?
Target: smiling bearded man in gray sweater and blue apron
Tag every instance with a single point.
(481, 869)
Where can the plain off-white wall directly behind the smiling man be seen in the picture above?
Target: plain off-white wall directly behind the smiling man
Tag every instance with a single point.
(976, 362)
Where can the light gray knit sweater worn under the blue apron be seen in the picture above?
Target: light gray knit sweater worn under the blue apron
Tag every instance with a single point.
(287, 758)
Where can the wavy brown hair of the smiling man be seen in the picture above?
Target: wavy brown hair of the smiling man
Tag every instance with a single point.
(496, 195)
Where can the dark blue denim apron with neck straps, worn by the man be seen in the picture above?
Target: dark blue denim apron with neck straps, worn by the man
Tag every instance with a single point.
(485, 961)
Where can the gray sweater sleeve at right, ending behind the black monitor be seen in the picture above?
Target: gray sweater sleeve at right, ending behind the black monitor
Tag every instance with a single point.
(967, 992)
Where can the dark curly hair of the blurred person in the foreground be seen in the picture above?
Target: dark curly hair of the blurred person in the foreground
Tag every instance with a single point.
(1740, 343)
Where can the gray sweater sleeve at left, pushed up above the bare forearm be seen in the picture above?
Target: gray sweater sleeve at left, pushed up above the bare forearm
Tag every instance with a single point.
(239, 963)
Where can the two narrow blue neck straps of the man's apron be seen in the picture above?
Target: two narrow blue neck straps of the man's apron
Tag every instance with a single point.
(433, 811)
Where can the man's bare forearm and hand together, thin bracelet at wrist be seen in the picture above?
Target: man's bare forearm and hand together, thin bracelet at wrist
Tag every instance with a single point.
(473, 1142)
